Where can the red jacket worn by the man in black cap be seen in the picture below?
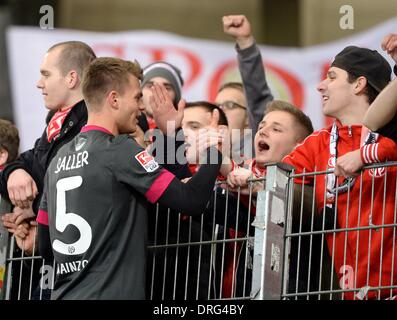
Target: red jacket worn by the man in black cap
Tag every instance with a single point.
(367, 248)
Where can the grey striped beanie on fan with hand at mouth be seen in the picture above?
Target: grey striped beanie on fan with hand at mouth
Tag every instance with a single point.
(166, 71)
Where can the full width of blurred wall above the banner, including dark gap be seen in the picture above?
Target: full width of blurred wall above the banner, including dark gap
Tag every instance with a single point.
(275, 22)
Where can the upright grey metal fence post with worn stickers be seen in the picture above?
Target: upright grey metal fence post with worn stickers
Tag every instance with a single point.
(269, 223)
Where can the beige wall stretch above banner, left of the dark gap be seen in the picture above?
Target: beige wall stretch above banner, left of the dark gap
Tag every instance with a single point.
(201, 19)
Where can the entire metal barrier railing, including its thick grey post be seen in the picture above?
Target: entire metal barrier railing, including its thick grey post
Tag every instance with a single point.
(282, 243)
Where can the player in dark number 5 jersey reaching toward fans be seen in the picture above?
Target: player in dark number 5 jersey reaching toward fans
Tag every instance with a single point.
(93, 211)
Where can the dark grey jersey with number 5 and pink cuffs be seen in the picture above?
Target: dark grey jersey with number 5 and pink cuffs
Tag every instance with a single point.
(94, 202)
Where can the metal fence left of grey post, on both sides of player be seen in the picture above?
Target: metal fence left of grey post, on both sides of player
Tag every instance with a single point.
(189, 257)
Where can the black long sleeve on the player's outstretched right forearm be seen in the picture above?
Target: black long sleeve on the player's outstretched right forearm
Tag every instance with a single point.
(192, 197)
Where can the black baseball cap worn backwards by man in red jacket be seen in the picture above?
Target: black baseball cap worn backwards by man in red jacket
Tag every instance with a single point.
(364, 62)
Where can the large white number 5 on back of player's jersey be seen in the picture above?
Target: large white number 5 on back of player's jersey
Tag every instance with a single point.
(63, 219)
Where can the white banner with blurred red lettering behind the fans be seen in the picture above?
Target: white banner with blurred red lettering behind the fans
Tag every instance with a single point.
(292, 73)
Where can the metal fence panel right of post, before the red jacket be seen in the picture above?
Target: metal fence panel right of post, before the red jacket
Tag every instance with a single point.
(337, 247)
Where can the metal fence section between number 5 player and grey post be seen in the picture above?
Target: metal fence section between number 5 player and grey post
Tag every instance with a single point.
(205, 257)
